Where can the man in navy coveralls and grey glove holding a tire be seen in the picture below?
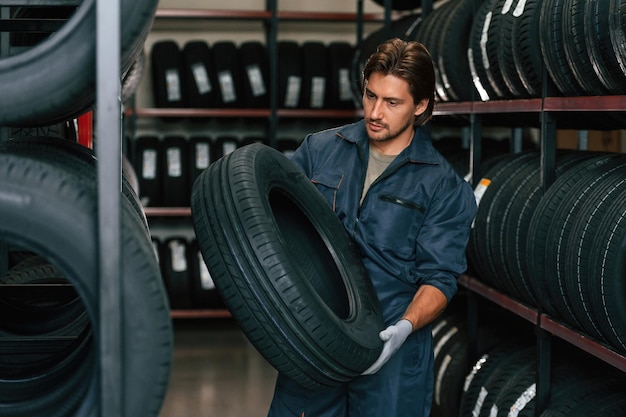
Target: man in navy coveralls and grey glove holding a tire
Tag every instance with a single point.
(410, 214)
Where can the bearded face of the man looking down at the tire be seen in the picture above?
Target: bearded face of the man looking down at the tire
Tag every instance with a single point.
(389, 109)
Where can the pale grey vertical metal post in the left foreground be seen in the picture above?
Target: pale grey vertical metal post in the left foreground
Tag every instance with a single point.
(108, 151)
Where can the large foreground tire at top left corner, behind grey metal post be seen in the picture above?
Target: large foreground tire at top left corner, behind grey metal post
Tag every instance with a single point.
(42, 87)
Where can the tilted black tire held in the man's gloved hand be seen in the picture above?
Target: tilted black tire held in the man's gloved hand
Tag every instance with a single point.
(286, 268)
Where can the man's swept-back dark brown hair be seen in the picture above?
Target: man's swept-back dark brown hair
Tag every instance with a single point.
(410, 61)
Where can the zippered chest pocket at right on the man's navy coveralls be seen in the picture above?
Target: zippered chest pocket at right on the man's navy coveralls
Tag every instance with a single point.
(397, 223)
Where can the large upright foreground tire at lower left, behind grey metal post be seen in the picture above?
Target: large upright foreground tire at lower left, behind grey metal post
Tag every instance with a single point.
(49, 208)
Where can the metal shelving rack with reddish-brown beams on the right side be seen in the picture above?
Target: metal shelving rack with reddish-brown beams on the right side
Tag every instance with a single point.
(545, 326)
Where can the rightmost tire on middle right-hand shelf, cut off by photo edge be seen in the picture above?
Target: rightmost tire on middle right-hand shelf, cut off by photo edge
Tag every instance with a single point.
(594, 284)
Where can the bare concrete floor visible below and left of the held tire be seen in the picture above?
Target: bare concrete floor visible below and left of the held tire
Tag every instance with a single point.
(216, 372)
